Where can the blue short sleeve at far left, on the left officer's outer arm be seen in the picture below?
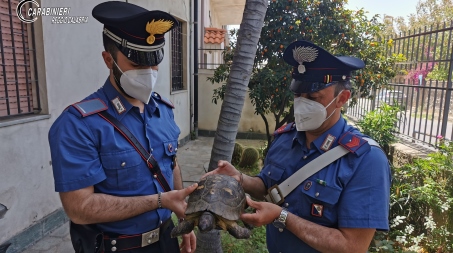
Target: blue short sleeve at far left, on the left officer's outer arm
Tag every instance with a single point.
(75, 158)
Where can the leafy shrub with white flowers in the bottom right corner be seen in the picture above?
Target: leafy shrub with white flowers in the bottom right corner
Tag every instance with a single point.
(421, 209)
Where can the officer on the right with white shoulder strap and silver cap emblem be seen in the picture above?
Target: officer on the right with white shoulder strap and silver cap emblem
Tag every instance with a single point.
(337, 202)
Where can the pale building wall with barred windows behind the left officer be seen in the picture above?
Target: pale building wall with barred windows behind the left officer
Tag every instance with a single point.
(70, 68)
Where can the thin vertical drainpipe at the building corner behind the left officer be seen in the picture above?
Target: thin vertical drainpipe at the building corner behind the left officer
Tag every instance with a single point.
(195, 64)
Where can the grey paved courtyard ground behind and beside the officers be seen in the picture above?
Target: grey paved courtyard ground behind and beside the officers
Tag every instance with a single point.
(191, 158)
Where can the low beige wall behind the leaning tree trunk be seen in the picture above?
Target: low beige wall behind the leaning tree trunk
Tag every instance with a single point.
(209, 112)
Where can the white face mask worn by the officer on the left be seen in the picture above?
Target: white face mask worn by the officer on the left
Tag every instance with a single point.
(138, 83)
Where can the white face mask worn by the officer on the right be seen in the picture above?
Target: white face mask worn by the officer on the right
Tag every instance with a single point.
(310, 114)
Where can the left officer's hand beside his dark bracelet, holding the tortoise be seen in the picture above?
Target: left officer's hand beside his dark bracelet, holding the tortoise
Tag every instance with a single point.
(175, 200)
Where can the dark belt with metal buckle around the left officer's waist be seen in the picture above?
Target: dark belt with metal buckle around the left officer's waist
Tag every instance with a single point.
(116, 242)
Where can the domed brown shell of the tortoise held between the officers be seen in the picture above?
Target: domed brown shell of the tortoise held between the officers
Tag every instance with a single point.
(219, 194)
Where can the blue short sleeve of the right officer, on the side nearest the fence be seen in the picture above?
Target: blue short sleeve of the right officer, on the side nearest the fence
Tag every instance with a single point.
(364, 202)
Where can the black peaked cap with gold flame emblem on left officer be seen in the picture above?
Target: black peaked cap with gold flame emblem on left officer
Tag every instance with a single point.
(137, 32)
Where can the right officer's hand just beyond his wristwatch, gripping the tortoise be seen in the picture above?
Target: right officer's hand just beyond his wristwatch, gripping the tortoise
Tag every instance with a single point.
(265, 213)
